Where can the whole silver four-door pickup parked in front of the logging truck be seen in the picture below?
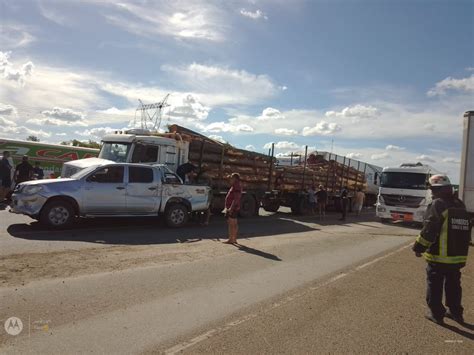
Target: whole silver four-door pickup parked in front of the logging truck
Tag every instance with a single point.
(111, 190)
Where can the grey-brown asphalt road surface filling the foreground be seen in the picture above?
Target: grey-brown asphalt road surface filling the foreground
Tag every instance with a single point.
(133, 286)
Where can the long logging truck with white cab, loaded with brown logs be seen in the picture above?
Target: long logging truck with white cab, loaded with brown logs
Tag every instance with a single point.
(266, 183)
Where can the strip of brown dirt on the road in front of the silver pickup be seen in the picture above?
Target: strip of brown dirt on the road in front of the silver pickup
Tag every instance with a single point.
(19, 269)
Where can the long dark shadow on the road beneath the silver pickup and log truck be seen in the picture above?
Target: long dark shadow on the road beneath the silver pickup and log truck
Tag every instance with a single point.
(150, 230)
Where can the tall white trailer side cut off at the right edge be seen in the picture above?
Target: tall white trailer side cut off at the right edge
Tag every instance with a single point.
(466, 182)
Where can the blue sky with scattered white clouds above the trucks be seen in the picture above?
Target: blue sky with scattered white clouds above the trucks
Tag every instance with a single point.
(385, 82)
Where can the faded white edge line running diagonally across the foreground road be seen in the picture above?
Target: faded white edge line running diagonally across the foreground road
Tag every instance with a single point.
(187, 344)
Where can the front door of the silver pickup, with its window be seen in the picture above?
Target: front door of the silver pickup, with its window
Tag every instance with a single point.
(104, 192)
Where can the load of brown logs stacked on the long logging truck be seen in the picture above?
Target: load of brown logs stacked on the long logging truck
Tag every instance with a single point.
(217, 161)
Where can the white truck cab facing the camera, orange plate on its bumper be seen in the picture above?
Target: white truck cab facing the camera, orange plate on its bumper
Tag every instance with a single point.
(403, 193)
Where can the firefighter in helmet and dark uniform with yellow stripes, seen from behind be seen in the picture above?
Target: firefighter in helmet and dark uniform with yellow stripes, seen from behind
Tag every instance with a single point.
(444, 242)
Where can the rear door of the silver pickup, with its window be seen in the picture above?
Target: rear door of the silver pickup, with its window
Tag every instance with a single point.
(143, 190)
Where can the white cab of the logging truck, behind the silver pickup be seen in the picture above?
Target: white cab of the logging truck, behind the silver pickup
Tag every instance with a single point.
(135, 146)
